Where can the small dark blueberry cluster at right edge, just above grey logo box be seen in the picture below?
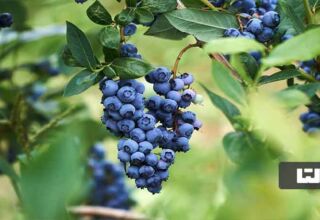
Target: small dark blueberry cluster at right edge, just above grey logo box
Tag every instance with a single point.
(311, 121)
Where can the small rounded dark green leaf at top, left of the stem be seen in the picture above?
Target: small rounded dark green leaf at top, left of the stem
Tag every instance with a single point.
(98, 14)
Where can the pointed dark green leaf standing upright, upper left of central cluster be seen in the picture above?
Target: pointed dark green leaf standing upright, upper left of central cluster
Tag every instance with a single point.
(80, 47)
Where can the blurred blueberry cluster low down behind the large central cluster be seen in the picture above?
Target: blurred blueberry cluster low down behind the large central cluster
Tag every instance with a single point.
(107, 183)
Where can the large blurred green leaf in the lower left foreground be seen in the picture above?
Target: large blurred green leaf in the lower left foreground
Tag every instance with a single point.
(53, 178)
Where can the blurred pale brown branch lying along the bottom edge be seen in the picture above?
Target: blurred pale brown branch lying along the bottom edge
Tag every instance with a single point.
(105, 212)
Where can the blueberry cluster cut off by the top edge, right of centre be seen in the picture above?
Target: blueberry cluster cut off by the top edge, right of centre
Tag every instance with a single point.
(259, 22)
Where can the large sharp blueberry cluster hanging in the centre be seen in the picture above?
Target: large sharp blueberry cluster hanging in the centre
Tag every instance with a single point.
(163, 125)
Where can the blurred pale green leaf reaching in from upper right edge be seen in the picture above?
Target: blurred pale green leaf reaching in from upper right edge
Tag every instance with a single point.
(302, 47)
